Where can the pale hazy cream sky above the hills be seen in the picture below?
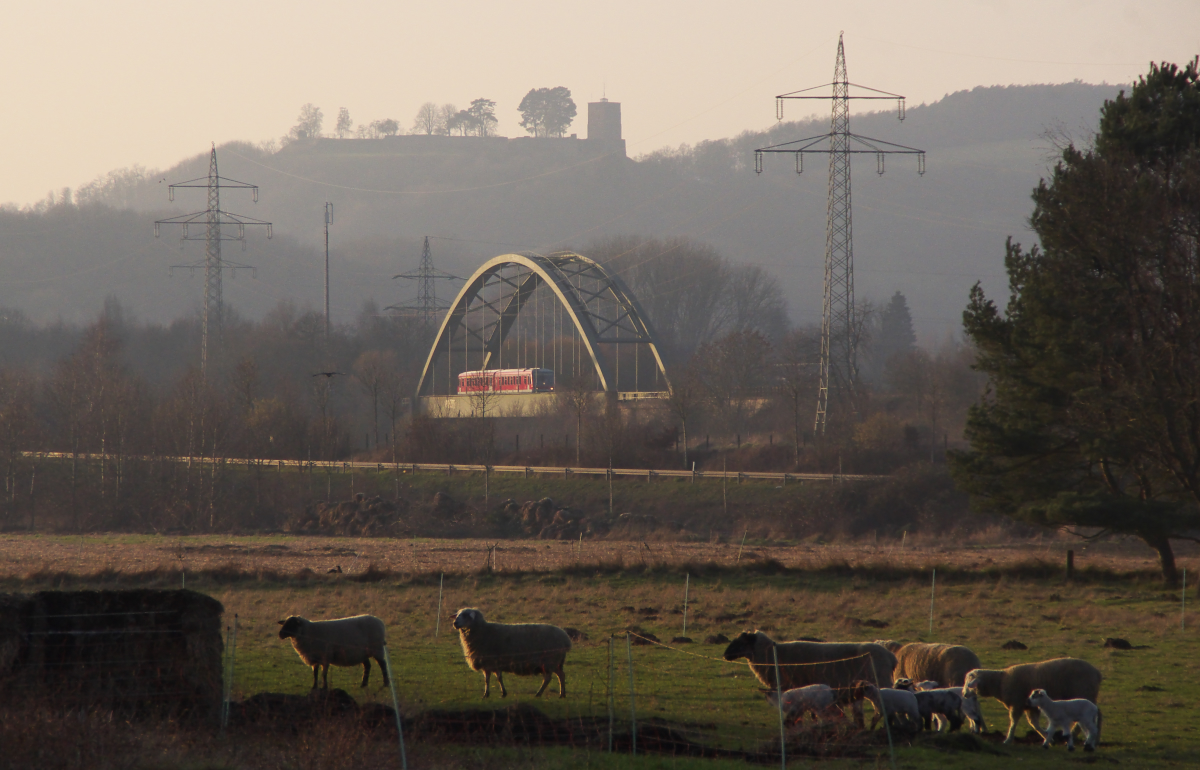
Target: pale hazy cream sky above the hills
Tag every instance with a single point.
(91, 87)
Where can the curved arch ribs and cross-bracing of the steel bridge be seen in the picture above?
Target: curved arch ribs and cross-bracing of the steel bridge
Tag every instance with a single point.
(601, 306)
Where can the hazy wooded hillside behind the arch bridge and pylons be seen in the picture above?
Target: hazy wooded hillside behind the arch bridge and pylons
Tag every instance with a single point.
(931, 238)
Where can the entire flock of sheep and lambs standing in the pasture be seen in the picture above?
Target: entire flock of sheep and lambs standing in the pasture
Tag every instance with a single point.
(927, 684)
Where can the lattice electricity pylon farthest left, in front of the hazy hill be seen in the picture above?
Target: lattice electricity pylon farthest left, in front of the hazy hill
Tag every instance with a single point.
(214, 220)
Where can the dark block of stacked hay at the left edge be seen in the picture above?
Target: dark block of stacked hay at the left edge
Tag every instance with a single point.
(137, 651)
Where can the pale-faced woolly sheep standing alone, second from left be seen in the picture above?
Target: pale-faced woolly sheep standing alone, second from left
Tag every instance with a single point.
(523, 649)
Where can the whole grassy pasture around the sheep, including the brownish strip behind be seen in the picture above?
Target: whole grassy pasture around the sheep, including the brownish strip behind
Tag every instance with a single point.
(985, 599)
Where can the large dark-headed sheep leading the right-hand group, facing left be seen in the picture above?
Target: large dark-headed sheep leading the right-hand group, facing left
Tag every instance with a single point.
(801, 664)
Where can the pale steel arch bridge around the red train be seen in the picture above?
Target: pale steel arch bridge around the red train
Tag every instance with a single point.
(563, 312)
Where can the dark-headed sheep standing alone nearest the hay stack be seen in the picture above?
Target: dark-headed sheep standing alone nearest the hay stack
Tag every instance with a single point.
(343, 642)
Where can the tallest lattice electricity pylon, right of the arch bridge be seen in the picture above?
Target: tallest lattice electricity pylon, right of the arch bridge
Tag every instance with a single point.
(839, 330)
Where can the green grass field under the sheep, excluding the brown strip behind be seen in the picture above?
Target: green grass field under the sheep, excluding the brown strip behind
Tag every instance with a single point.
(1145, 696)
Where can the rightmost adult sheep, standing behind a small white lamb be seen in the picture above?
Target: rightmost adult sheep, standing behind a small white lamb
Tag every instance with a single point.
(1064, 678)
